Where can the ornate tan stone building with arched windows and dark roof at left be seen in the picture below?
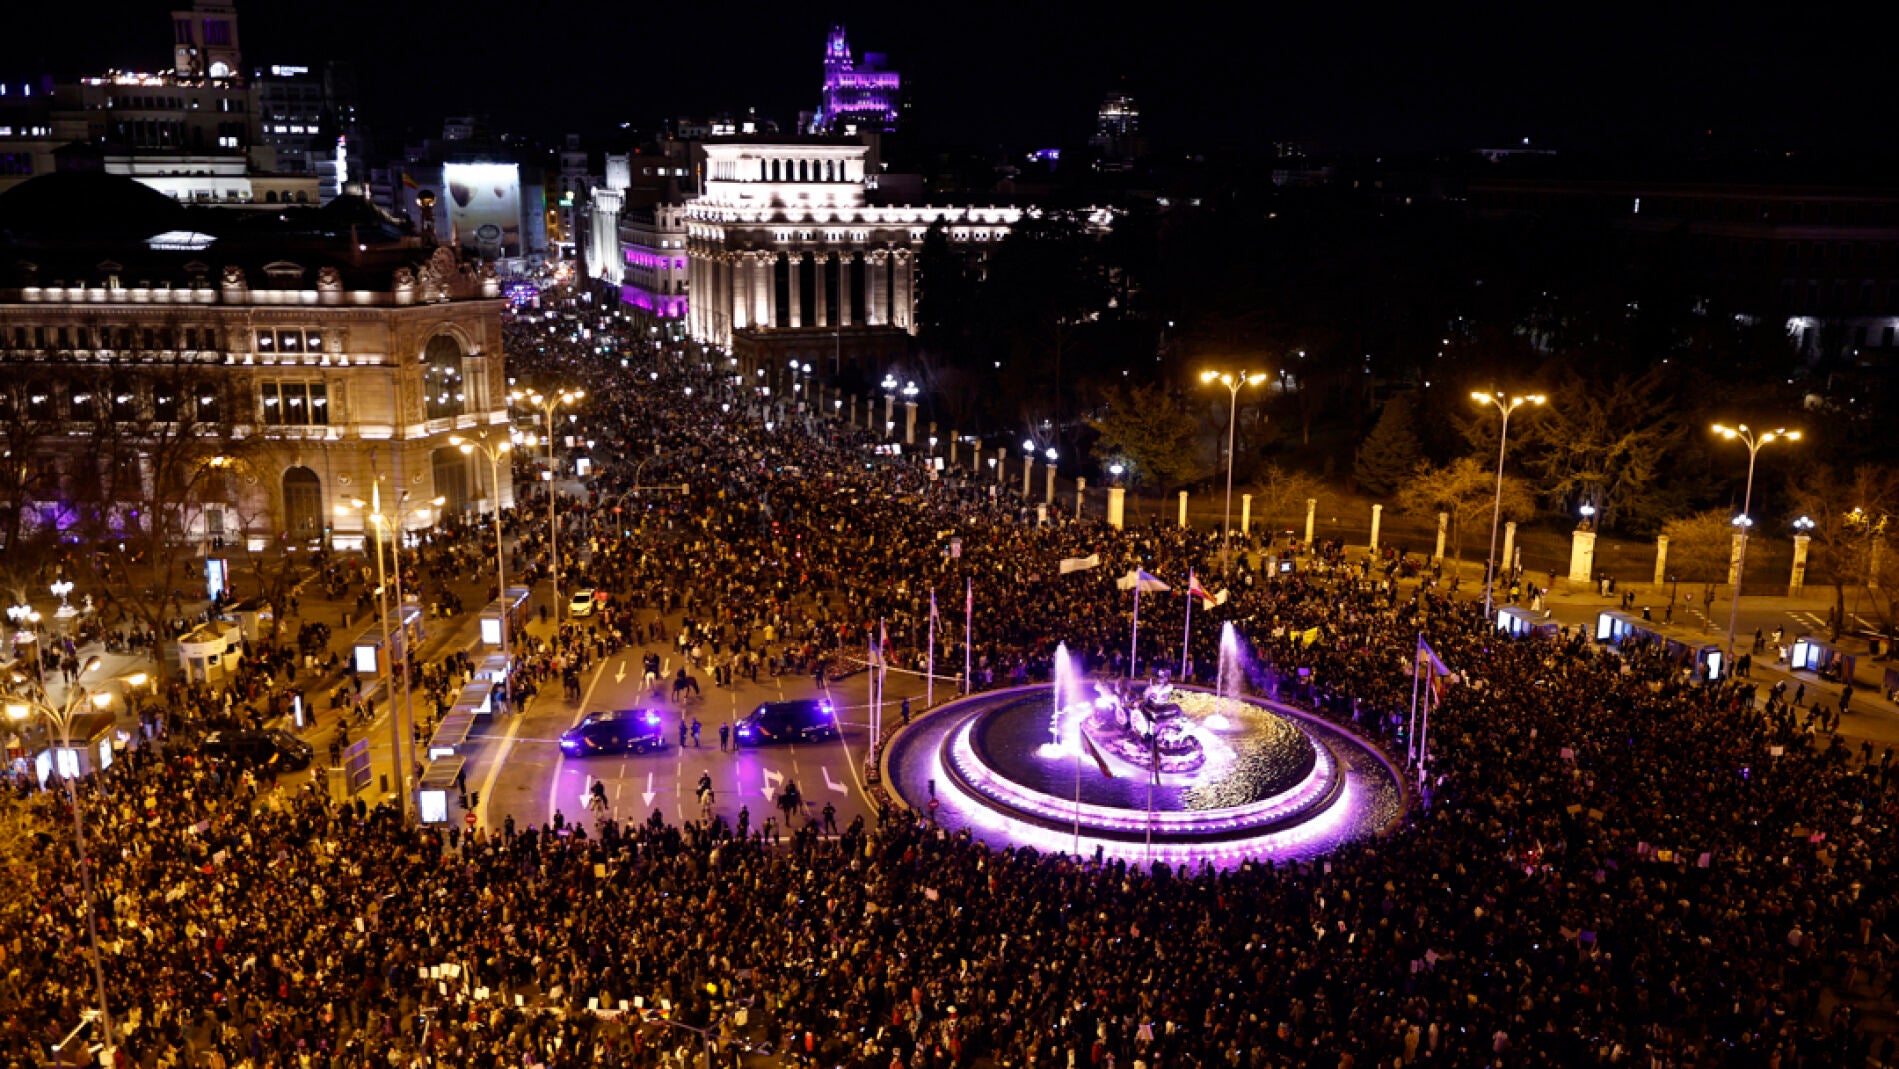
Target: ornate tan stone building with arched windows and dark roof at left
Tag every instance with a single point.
(312, 358)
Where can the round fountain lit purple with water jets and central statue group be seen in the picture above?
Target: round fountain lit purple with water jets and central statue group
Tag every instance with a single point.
(1146, 770)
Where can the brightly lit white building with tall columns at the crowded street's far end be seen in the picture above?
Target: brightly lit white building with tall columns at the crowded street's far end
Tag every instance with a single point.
(789, 248)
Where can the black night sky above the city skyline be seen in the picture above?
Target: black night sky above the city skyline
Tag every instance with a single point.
(1030, 71)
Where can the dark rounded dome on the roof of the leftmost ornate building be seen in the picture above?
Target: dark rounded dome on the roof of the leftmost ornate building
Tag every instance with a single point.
(85, 206)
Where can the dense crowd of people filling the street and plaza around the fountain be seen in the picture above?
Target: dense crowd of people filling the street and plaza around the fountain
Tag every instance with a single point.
(1617, 865)
